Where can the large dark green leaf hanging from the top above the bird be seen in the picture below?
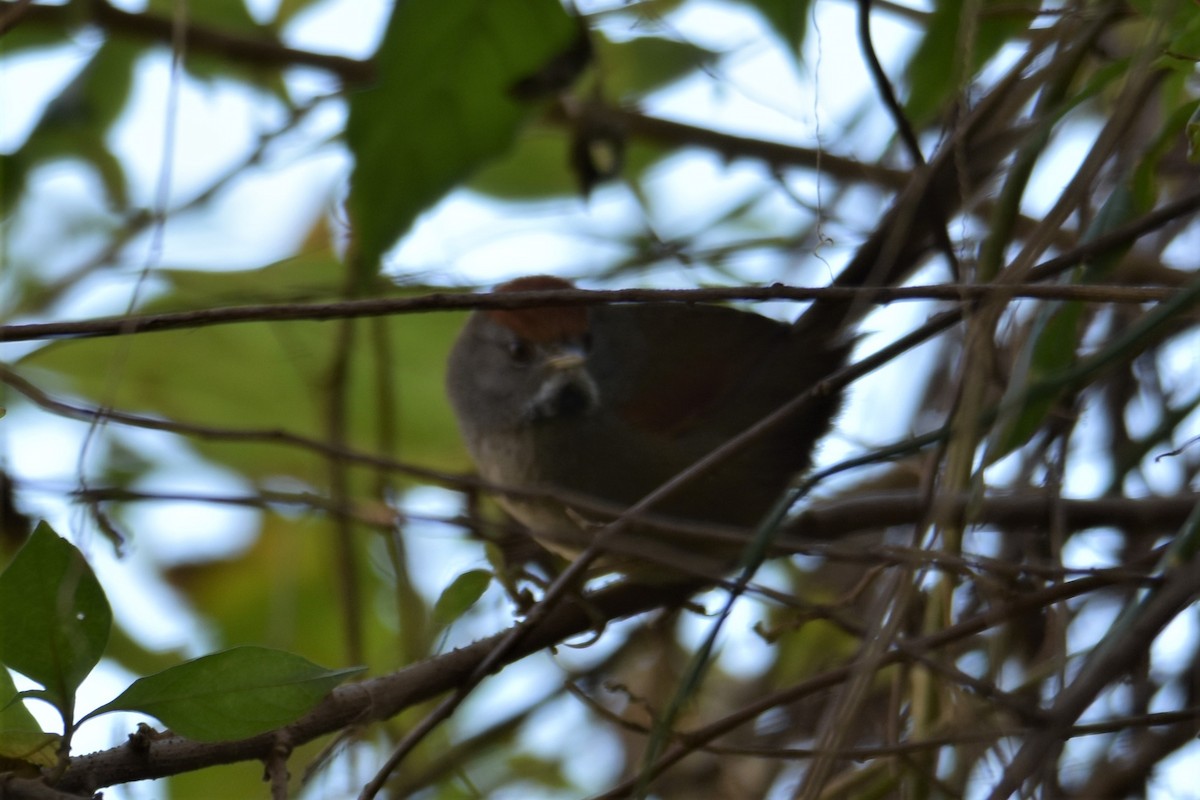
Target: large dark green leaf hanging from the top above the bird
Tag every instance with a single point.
(442, 107)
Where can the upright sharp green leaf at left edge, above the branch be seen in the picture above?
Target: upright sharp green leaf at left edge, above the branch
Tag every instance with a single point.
(57, 618)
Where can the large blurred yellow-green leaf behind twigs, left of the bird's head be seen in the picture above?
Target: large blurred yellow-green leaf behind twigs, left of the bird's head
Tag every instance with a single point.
(267, 376)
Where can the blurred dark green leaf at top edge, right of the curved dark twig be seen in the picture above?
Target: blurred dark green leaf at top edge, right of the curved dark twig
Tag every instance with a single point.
(941, 68)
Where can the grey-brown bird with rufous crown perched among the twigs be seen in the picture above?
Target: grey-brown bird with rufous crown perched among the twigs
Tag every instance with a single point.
(577, 413)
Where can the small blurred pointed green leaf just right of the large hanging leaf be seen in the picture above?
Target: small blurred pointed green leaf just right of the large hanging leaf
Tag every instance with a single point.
(639, 67)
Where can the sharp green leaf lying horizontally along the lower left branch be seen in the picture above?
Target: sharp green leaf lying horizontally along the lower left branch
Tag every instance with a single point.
(231, 695)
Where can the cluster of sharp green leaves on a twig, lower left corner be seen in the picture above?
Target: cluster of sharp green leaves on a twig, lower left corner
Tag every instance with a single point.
(57, 627)
